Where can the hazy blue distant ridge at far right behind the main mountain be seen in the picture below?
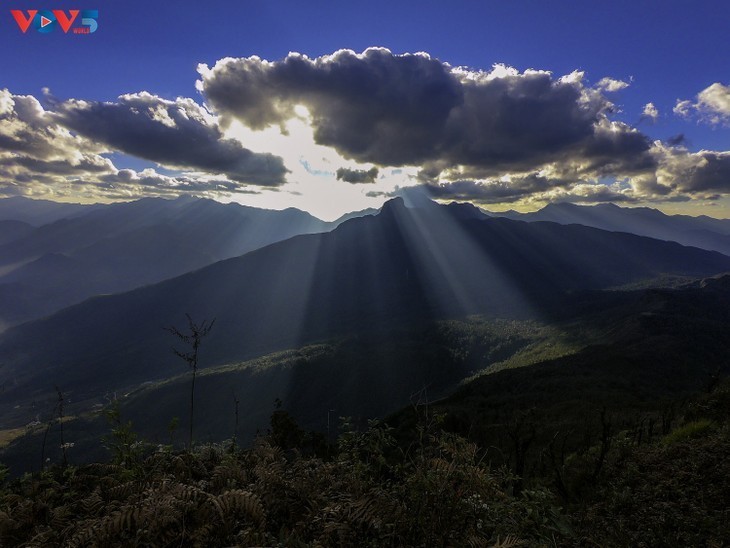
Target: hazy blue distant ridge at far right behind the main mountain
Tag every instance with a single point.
(703, 232)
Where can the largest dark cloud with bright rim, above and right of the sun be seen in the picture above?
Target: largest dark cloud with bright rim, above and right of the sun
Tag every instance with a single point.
(411, 109)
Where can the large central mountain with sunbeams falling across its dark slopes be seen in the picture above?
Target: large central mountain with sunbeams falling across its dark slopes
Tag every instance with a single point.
(402, 265)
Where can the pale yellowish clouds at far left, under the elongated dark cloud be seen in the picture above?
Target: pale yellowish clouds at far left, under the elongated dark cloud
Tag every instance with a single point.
(40, 156)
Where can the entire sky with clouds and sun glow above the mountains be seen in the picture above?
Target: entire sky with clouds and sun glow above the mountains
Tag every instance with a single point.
(334, 106)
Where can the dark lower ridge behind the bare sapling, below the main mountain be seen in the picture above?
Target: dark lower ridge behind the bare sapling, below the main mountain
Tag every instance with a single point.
(362, 376)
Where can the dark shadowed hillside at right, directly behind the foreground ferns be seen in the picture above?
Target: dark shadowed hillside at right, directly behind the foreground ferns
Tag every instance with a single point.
(646, 352)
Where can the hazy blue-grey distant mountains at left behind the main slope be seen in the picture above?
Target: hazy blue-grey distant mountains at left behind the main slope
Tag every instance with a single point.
(118, 247)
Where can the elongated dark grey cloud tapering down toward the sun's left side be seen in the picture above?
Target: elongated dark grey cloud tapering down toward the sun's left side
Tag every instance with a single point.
(179, 134)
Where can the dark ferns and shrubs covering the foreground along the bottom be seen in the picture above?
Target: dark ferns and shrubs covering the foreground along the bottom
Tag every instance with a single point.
(372, 488)
